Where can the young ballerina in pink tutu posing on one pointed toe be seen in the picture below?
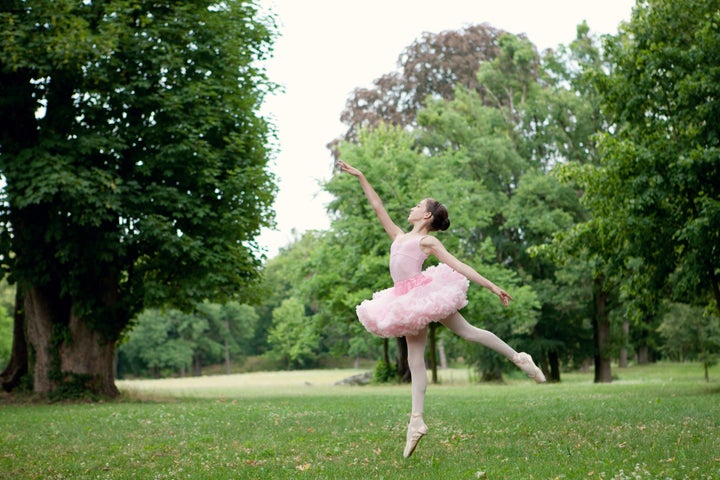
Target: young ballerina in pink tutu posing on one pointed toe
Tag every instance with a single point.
(419, 297)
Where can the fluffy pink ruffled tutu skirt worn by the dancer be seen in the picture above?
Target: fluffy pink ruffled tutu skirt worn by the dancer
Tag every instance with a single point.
(411, 304)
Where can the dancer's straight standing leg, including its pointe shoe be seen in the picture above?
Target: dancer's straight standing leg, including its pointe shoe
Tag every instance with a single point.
(416, 361)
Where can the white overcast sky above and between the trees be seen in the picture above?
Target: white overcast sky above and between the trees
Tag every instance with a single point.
(327, 48)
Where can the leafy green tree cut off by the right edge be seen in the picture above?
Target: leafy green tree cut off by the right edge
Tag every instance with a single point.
(656, 187)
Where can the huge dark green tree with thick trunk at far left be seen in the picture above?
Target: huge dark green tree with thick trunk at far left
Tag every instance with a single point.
(135, 169)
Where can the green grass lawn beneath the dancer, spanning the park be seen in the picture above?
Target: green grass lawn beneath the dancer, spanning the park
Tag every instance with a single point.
(660, 421)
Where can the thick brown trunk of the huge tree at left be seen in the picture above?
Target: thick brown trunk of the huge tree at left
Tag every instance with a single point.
(69, 356)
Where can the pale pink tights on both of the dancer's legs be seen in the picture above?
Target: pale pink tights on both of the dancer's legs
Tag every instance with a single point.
(416, 353)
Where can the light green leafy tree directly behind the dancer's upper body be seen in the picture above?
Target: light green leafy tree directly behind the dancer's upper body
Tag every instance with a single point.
(402, 176)
